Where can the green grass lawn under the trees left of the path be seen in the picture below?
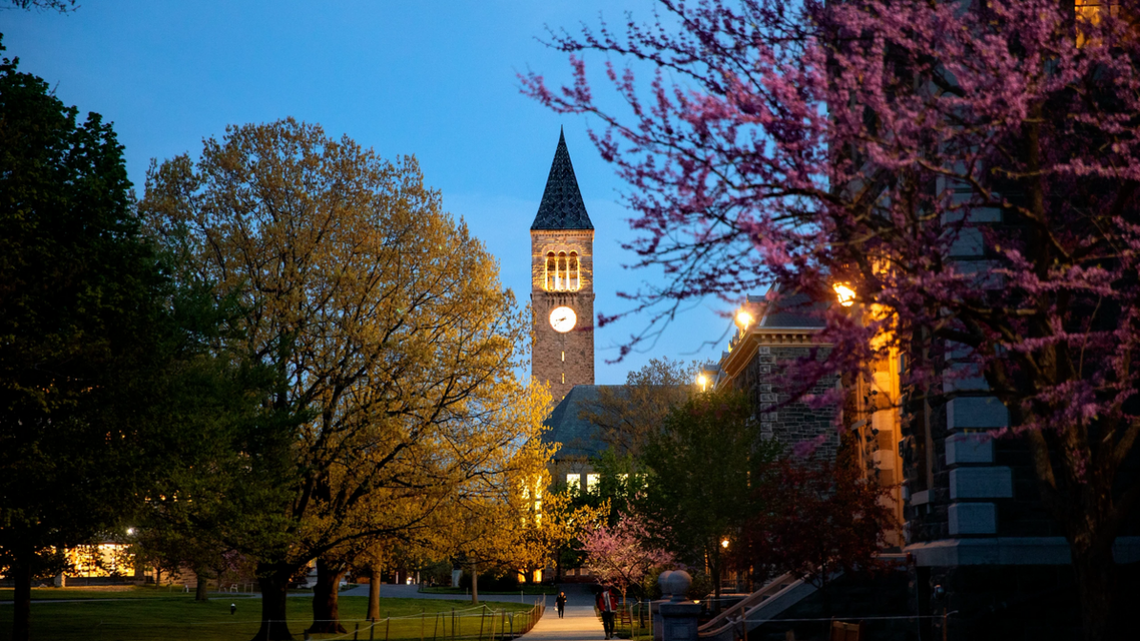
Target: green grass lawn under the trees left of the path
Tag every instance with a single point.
(181, 619)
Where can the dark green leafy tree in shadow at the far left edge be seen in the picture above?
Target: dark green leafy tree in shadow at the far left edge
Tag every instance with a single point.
(96, 338)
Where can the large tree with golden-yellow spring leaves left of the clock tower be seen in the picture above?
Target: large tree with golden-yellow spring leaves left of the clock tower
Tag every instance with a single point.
(385, 320)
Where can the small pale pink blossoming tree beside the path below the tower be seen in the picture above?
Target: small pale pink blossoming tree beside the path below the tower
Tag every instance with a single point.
(620, 555)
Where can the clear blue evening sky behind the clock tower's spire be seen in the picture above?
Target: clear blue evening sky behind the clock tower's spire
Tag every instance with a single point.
(431, 78)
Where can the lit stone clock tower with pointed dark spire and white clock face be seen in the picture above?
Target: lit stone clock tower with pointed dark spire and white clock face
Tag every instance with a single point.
(563, 282)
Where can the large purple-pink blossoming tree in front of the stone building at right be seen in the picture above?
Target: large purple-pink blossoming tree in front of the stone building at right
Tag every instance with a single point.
(971, 172)
